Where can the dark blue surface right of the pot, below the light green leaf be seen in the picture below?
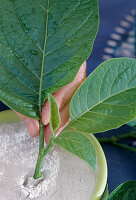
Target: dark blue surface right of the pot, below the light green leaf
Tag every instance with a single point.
(121, 162)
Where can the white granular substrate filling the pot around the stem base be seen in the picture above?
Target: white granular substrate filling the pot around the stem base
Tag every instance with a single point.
(66, 177)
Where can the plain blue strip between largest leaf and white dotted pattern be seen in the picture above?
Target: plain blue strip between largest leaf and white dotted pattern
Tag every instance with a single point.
(111, 12)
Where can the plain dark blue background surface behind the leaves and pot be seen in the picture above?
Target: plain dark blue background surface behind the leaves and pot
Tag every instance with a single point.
(121, 163)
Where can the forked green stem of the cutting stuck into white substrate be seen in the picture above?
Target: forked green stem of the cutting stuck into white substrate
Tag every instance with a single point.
(42, 152)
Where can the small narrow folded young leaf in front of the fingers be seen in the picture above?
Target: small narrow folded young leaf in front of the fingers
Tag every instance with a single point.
(54, 113)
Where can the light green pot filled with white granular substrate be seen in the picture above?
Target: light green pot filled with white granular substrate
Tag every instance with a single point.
(18, 158)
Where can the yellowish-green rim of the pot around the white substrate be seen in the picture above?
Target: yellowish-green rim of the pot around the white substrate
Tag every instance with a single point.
(101, 176)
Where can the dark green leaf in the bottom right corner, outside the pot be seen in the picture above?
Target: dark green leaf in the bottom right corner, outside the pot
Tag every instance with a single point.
(125, 191)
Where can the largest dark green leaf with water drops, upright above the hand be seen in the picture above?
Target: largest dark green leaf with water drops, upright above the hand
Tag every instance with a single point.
(42, 45)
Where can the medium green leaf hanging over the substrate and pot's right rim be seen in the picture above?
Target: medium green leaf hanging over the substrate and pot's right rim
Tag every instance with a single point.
(78, 144)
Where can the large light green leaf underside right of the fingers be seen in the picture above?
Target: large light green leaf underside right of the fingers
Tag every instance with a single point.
(107, 99)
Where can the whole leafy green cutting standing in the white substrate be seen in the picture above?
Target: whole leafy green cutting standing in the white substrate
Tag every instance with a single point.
(42, 45)
